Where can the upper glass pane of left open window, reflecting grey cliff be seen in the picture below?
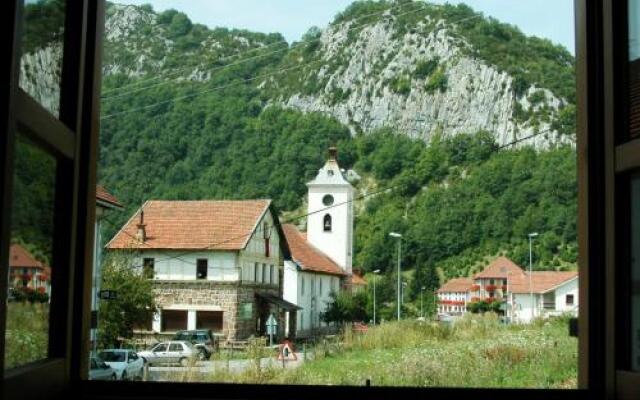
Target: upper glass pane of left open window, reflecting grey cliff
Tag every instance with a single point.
(42, 43)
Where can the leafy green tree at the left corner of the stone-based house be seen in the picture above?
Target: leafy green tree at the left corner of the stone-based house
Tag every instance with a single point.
(135, 302)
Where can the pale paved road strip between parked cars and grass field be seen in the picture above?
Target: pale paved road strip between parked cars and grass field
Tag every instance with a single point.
(164, 373)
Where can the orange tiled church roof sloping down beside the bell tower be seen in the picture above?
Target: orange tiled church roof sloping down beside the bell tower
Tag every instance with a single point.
(307, 256)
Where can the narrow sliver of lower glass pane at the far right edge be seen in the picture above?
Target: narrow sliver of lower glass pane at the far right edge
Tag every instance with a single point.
(635, 273)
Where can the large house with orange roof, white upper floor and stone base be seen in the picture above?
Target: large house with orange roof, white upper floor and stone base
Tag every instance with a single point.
(216, 264)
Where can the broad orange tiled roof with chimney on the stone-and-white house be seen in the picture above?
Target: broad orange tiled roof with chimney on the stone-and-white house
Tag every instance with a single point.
(184, 225)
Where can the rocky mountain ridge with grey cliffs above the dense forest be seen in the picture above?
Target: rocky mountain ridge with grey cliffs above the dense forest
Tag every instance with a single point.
(369, 70)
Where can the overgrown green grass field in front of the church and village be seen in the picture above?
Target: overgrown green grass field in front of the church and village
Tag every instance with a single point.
(477, 352)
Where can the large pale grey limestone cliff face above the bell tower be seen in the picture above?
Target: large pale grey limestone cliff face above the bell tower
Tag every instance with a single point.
(378, 86)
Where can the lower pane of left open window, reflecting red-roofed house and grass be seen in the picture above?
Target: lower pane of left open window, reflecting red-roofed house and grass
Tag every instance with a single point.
(30, 268)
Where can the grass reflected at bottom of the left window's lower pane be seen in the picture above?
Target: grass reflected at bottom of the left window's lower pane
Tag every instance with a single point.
(27, 333)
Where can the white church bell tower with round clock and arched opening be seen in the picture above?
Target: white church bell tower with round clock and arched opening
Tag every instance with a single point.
(330, 219)
